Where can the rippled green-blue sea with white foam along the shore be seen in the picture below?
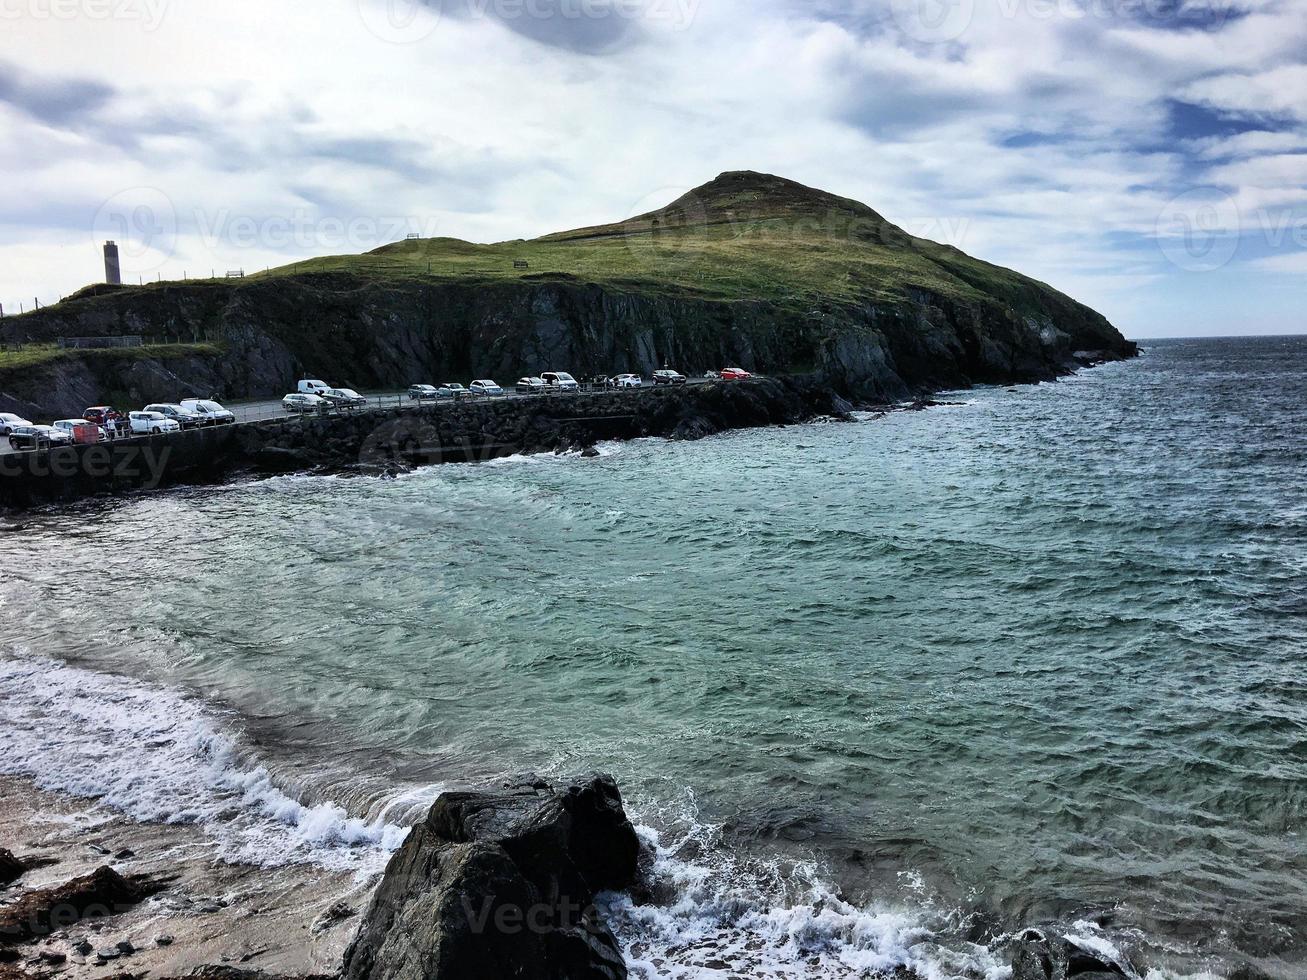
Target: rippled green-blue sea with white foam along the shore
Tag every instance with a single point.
(882, 692)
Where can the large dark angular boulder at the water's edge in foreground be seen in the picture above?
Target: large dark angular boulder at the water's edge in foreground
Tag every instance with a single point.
(503, 885)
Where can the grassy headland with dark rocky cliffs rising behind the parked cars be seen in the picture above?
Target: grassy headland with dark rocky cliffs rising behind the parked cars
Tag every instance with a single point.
(742, 284)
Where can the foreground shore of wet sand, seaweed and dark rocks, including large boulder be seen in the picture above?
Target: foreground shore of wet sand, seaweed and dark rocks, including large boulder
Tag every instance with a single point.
(499, 884)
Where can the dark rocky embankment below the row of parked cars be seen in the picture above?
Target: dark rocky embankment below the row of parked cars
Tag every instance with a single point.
(397, 441)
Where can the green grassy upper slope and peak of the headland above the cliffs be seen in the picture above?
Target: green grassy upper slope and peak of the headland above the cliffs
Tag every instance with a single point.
(744, 236)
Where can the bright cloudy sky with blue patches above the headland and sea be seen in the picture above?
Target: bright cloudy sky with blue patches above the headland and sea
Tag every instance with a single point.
(1148, 157)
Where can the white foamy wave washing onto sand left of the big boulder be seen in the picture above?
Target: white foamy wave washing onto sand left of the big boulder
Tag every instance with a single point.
(155, 755)
